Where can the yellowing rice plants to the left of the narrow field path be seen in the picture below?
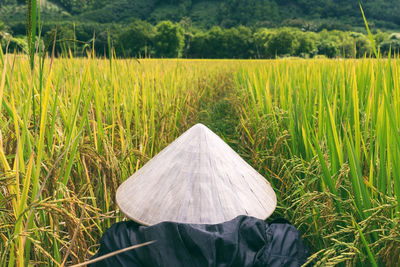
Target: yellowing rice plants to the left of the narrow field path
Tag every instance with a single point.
(95, 130)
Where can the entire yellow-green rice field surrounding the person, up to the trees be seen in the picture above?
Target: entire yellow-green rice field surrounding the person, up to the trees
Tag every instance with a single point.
(325, 133)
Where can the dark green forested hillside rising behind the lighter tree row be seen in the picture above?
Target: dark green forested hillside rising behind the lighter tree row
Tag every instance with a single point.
(311, 14)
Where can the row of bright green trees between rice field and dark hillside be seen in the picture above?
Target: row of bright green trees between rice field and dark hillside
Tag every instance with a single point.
(167, 39)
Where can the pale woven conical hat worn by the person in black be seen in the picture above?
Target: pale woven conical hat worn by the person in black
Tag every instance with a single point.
(198, 178)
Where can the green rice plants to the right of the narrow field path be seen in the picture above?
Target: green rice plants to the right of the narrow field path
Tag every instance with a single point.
(344, 113)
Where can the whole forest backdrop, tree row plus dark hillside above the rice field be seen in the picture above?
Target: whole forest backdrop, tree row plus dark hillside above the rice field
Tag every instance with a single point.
(208, 29)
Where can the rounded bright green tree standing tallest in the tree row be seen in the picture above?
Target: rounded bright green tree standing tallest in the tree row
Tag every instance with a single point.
(168, 40)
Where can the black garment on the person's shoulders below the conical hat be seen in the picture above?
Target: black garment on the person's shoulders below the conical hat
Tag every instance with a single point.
(243, 241)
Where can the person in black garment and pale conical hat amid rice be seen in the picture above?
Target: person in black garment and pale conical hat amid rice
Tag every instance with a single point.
(202, 205)
